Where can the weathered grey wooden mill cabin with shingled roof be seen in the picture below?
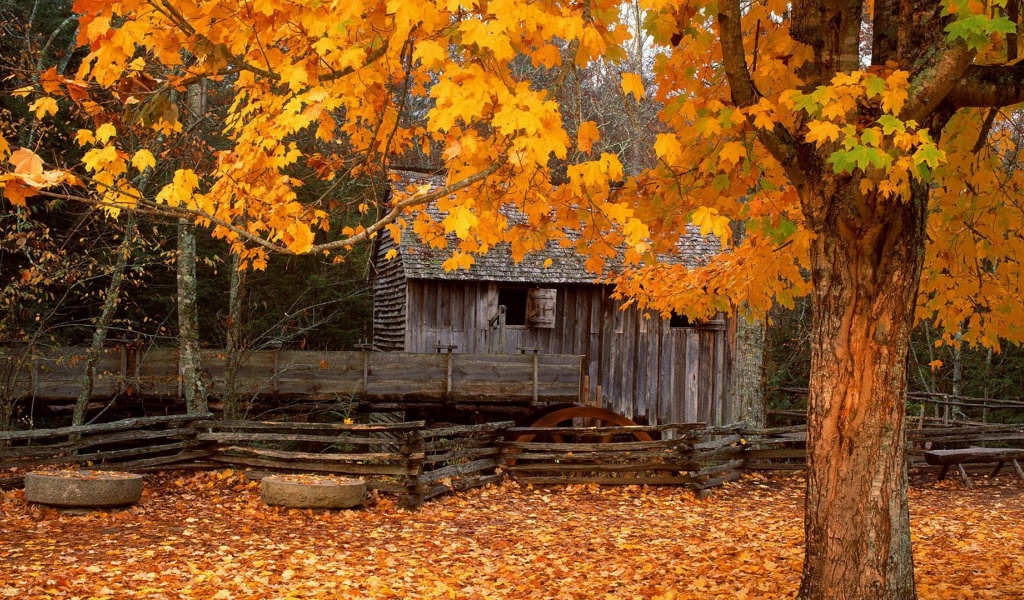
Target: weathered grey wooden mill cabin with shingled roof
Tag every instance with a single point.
(652, 370)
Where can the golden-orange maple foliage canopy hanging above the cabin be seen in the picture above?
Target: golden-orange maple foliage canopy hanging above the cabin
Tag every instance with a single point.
(343, 73)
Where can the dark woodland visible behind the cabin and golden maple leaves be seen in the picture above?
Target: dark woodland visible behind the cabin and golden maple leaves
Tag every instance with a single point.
(58, 259)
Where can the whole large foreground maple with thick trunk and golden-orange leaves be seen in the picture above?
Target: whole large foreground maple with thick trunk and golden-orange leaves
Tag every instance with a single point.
(861, 146)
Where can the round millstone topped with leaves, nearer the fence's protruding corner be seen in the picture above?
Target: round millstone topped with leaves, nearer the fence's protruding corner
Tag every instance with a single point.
(311, 492)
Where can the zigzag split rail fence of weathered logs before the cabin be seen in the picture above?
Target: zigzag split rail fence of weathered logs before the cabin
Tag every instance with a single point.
(419, 462)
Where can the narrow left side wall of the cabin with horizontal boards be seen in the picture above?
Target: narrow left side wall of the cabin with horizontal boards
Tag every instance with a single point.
(390, 298)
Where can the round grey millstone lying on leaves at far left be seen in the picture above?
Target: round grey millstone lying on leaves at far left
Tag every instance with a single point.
(83, 489)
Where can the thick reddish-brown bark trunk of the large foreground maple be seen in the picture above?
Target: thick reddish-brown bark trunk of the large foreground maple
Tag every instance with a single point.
(867, 265)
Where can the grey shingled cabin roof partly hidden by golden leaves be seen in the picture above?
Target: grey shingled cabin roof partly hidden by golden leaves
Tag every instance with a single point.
(568, 267)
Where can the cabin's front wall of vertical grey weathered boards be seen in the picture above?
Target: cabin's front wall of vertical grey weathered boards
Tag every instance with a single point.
(648, 371)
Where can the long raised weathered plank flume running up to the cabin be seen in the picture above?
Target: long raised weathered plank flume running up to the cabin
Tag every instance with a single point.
(370, 376)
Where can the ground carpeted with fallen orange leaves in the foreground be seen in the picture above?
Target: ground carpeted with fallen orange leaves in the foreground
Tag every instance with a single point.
(209, 536)
